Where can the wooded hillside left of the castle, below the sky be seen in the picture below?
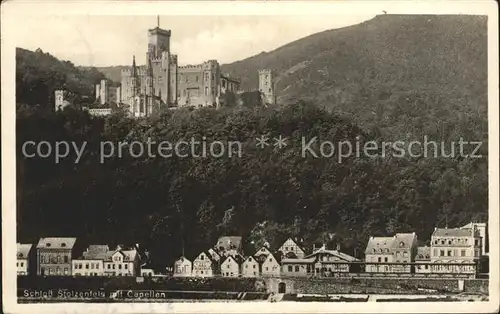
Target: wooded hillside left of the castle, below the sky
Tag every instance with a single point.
(39, 74)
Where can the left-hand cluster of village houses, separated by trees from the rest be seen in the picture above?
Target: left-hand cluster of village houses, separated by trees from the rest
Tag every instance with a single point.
(60, 256)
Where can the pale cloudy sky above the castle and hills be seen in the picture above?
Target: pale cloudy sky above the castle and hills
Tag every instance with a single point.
(91, 40)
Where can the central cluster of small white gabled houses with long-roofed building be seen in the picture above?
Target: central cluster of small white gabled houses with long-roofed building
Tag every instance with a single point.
(226, 260)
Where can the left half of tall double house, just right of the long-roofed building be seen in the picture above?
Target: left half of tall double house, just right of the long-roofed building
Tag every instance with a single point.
(378, 254)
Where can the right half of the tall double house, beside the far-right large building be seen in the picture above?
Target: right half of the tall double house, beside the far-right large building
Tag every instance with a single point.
(404, 249)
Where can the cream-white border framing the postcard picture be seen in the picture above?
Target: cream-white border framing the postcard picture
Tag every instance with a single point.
(12, 15)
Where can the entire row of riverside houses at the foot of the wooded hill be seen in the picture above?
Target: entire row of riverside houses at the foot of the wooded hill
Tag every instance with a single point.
(451, 250)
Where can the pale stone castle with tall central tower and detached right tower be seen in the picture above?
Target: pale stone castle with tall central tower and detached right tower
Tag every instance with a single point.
(162, 83)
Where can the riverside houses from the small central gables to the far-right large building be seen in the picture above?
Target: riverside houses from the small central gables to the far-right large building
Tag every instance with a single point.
(451, 251)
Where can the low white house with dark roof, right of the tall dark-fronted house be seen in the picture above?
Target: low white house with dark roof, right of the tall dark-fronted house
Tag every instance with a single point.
(91, 263)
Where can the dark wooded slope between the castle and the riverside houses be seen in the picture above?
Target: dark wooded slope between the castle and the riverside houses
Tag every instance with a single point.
(178, 204)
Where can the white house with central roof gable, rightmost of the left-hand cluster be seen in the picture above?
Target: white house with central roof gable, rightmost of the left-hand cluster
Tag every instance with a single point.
(122, 262)
